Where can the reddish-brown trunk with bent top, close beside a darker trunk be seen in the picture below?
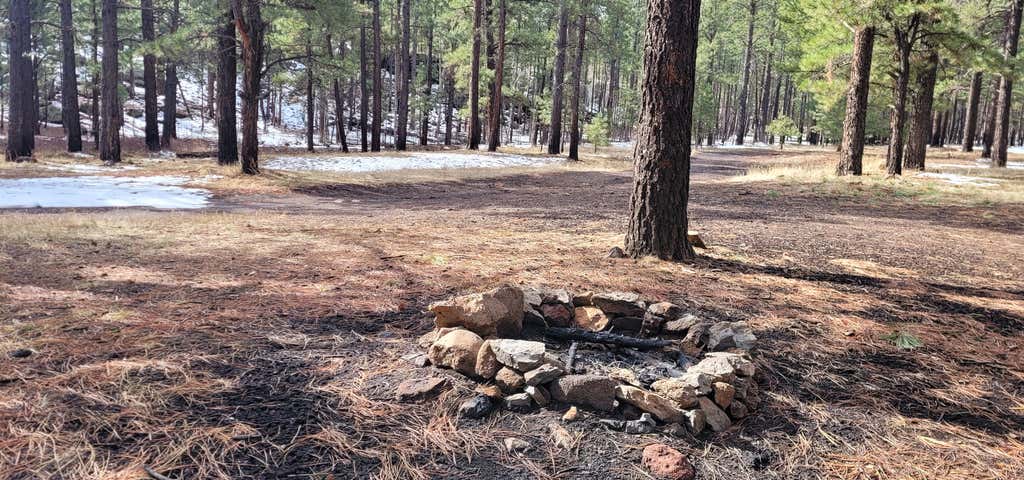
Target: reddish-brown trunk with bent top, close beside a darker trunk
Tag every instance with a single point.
(249, 21)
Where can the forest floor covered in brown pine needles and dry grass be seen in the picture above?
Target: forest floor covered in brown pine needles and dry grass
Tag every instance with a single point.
(262, 337)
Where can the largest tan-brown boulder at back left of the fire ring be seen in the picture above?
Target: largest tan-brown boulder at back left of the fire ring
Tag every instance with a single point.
(495, 314)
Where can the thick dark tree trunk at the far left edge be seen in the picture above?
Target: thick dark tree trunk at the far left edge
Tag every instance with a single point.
(21, 130)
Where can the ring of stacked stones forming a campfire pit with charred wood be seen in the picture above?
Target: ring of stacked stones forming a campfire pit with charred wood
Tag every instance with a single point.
(612, 354)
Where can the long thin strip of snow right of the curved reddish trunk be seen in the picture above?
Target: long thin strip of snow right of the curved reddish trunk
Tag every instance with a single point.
(418, 161)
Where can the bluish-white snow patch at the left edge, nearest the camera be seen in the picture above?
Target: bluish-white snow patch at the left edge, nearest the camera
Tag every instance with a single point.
(92, 192)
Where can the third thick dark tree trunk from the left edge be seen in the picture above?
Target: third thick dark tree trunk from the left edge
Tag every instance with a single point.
(111, 117)
